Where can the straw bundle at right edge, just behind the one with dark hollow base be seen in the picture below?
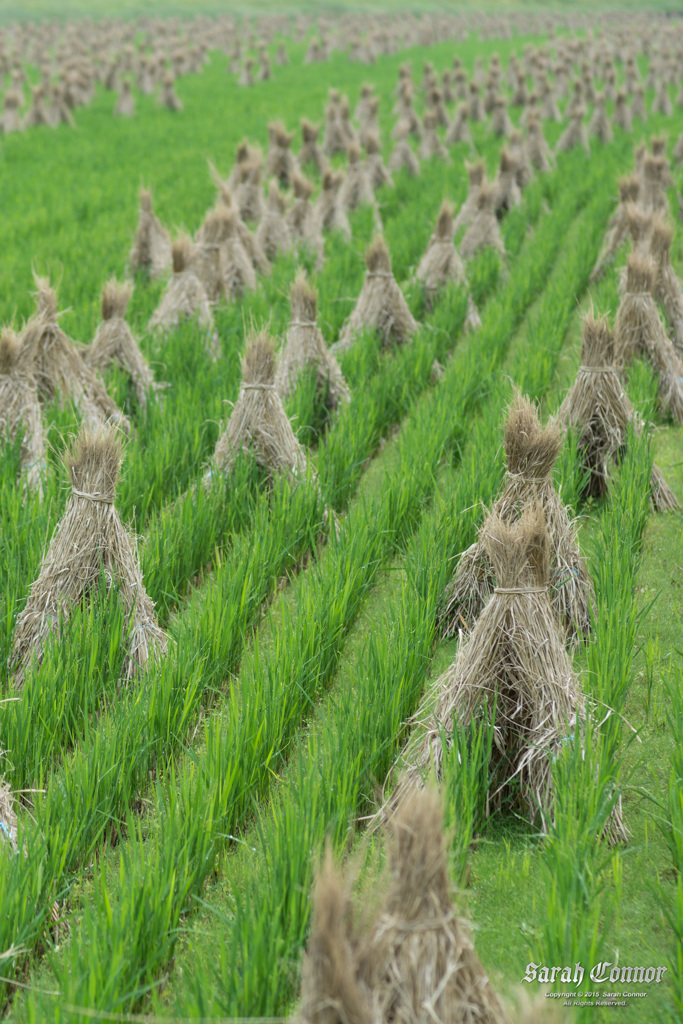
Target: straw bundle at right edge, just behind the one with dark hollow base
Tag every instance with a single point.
(639, 331)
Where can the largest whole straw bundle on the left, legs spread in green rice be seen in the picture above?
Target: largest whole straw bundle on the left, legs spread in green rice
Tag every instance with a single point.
(90, 541)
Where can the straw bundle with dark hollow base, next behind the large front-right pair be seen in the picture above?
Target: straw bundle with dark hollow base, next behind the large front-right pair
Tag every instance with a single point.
(599, 412)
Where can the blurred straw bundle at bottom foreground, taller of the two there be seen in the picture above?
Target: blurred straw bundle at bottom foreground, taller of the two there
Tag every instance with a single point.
(419, 954)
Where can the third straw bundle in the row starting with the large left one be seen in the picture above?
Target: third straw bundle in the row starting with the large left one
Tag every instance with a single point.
(306, 347)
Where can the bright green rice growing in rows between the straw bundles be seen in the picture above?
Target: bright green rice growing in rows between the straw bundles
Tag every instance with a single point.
(172, 821)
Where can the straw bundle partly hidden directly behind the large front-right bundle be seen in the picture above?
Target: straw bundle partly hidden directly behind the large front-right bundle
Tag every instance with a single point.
(531, 455)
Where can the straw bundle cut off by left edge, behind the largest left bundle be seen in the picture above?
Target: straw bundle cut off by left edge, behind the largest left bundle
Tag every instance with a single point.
(20, 407)
